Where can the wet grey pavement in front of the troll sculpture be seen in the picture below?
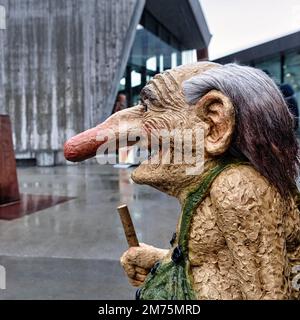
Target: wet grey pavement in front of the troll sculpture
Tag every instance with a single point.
(71, 250)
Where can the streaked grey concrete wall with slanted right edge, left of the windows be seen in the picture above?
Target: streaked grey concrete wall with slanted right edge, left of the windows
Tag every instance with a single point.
(62, 64)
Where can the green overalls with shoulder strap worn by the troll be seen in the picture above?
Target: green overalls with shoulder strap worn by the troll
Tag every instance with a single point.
(172, 280)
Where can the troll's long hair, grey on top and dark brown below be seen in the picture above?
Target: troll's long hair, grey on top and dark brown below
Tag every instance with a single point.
(264, 126)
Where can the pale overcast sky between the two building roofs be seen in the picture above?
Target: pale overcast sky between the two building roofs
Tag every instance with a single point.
(240, 24)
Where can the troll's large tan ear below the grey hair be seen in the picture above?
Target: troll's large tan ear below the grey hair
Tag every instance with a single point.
(217, 111)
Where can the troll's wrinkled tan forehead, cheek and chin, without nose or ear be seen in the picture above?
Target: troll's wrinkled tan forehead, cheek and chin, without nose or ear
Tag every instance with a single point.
(166, 110)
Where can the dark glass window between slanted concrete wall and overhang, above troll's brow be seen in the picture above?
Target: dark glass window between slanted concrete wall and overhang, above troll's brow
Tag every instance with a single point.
(154, 50)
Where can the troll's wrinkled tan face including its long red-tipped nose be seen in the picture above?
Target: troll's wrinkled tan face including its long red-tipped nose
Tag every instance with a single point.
(162, 107)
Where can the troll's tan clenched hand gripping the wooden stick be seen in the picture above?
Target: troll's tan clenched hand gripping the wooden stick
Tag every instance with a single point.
(137, 262)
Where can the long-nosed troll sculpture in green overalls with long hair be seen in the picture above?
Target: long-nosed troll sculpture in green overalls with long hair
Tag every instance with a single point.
(238, 236)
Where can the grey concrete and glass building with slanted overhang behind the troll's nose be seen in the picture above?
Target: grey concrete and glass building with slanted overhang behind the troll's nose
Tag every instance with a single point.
(64, 62)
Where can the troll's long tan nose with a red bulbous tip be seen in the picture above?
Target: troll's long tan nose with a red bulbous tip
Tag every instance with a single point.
(123, 124)
